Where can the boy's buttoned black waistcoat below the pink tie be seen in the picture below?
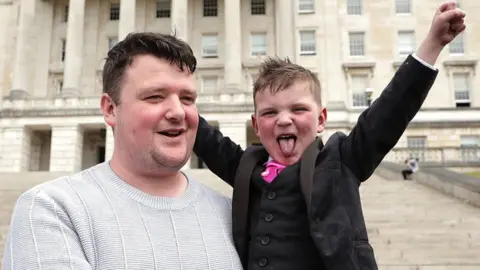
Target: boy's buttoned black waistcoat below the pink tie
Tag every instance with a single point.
(278, 225)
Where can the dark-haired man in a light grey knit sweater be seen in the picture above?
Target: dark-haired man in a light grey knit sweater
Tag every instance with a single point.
(137, 211)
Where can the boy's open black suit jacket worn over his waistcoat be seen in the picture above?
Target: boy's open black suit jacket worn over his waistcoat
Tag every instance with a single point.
(337, 224)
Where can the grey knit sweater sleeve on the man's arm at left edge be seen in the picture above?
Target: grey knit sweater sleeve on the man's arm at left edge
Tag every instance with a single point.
(41, 236)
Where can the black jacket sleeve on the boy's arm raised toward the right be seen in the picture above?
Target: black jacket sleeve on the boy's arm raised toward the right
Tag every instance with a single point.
(379, 127)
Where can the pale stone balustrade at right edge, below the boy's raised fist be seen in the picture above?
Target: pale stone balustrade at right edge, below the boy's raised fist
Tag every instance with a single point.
(438, 157)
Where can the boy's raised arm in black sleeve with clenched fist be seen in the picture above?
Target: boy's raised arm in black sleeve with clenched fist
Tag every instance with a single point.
(381, 125)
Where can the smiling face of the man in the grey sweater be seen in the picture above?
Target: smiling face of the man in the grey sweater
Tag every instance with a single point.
(156, 121)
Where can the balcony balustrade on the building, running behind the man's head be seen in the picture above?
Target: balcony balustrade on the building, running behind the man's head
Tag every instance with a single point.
(93, 102)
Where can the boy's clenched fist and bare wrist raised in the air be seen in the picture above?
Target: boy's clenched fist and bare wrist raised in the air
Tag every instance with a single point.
(448, 23)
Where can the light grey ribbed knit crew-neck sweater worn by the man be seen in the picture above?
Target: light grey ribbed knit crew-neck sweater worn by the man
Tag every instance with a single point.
(94, 220)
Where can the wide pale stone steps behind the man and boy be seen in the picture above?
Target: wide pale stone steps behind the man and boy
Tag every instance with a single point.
(410, 225)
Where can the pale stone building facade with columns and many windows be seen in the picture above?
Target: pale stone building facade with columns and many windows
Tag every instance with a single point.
(51, 55)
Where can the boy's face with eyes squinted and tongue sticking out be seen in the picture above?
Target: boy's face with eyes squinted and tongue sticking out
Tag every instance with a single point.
(288, 121)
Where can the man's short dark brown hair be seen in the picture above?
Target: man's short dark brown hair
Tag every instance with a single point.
(167, 47)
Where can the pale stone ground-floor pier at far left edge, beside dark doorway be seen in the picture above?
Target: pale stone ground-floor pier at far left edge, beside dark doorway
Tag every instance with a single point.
(15, 149)
